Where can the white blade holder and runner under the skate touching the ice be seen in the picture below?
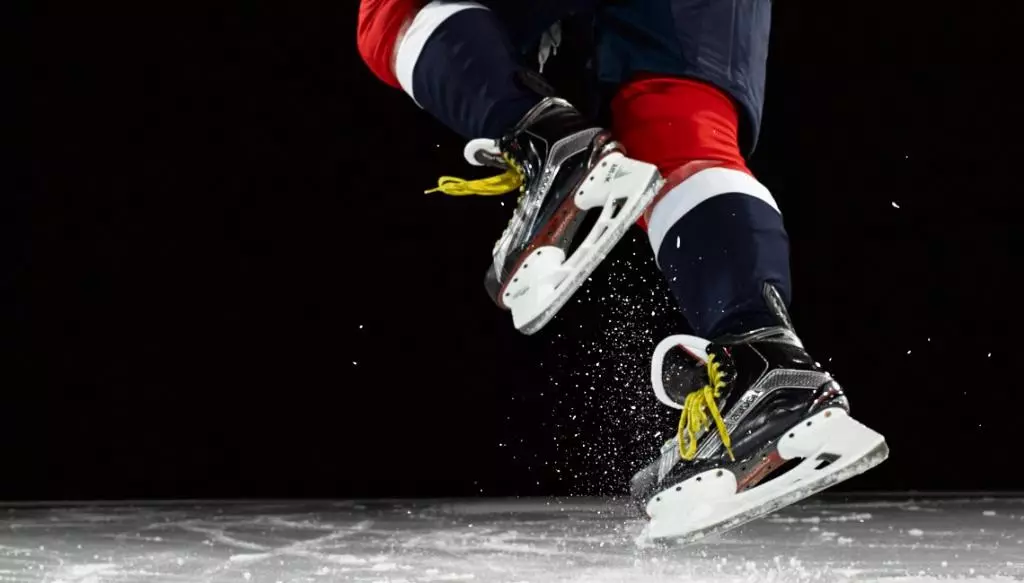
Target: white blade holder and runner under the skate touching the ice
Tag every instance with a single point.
(830, 446)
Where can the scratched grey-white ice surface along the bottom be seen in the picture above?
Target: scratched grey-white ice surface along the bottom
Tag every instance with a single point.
(509, 542)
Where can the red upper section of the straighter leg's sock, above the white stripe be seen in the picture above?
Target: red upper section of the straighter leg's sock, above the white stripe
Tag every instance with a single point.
(680, 126)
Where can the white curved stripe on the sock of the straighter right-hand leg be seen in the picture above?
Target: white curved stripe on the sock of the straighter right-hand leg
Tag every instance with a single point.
(698, 189)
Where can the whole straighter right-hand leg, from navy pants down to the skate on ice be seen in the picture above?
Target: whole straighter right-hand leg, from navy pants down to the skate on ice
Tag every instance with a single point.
(761, 425)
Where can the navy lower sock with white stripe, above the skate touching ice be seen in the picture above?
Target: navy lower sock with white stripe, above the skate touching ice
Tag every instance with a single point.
(719, 239)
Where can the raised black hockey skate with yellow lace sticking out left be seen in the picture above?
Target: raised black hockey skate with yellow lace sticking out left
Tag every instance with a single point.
(565, 169)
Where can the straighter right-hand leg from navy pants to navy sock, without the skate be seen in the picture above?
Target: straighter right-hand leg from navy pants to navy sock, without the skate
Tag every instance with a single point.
(693, 99)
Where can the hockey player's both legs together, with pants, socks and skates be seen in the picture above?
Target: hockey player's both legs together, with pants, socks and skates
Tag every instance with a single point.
(761, 425)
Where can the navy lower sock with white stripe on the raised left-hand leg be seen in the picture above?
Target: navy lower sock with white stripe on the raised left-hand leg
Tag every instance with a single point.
(457, 63)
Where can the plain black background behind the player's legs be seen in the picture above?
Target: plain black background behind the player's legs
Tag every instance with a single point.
(235, 287)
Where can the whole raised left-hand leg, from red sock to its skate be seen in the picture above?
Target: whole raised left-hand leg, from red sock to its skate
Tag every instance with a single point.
(457, 62)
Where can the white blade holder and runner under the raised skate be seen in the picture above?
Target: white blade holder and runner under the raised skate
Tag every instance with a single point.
(546, 279)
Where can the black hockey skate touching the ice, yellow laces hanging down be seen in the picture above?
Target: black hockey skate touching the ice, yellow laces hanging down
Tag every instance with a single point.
(762, 427)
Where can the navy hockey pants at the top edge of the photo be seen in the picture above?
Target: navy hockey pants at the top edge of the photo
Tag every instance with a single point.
(721, 43)
